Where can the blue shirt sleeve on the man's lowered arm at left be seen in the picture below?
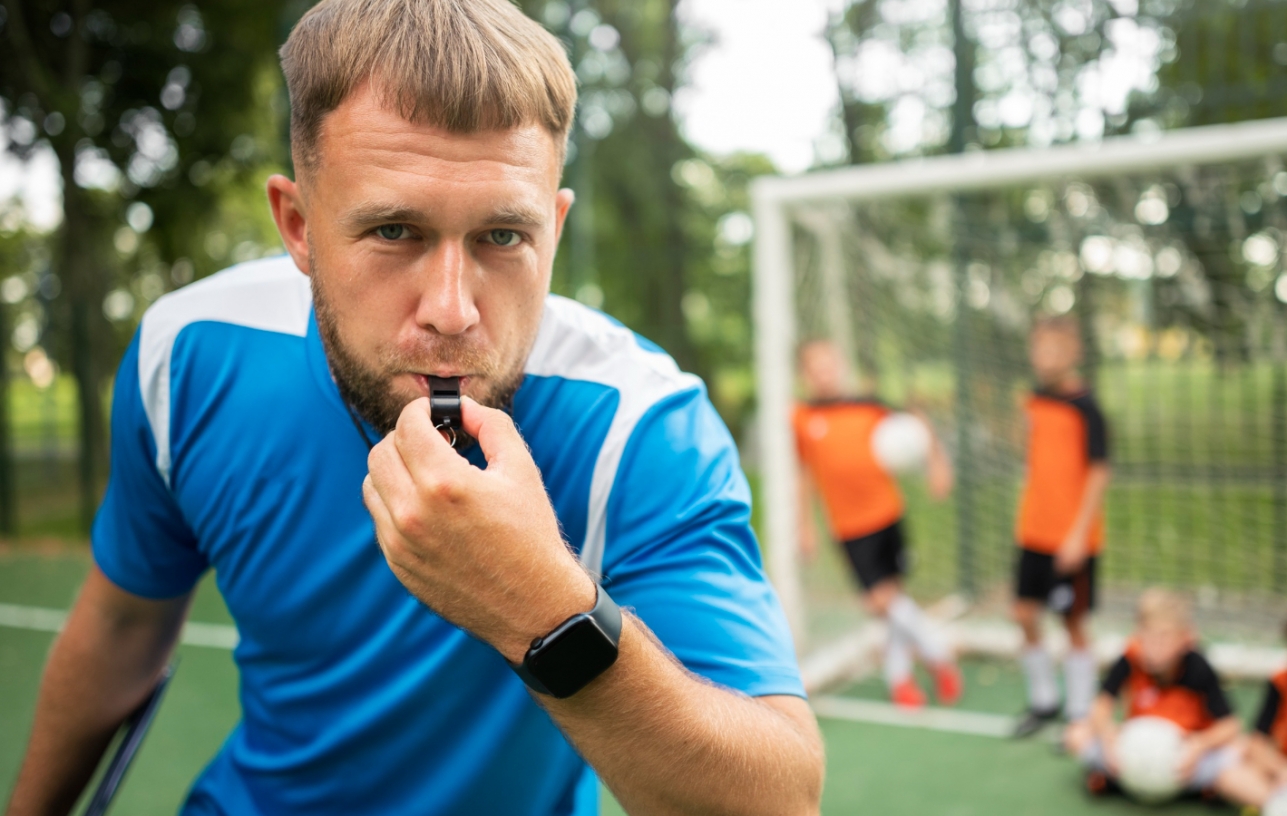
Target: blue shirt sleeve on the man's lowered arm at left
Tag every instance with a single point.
(140, 539)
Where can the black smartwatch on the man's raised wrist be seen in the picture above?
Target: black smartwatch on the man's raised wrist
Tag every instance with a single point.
(577, 652)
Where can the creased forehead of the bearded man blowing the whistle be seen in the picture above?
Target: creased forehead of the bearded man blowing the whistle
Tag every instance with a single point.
(366, 140)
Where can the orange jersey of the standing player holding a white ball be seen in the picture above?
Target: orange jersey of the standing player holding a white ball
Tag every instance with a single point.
(833, 440)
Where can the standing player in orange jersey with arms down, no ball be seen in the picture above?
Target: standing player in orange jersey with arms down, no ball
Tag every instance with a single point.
(1061, 522)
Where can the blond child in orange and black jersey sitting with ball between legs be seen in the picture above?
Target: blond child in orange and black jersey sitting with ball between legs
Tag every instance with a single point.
(1163, 675)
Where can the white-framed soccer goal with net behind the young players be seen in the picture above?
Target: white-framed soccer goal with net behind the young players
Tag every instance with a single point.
(929, 274)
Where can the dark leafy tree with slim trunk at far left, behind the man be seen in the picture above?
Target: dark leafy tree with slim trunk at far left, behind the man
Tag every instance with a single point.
(153, 109)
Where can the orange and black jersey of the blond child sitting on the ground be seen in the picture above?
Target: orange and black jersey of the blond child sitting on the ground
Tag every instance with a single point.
(1192, 700)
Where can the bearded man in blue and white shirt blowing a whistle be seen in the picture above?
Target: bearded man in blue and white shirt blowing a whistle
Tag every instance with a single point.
(572, 595)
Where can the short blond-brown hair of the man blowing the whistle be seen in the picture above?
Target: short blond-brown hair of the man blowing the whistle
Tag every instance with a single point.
(464, 66)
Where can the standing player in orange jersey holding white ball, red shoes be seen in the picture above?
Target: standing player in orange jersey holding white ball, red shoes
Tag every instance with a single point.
(864, 509)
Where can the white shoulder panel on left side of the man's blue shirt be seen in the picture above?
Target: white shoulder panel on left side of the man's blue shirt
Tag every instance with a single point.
(272, 295)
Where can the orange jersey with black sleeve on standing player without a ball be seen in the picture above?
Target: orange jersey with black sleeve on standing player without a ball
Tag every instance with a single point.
(1066, 436)
